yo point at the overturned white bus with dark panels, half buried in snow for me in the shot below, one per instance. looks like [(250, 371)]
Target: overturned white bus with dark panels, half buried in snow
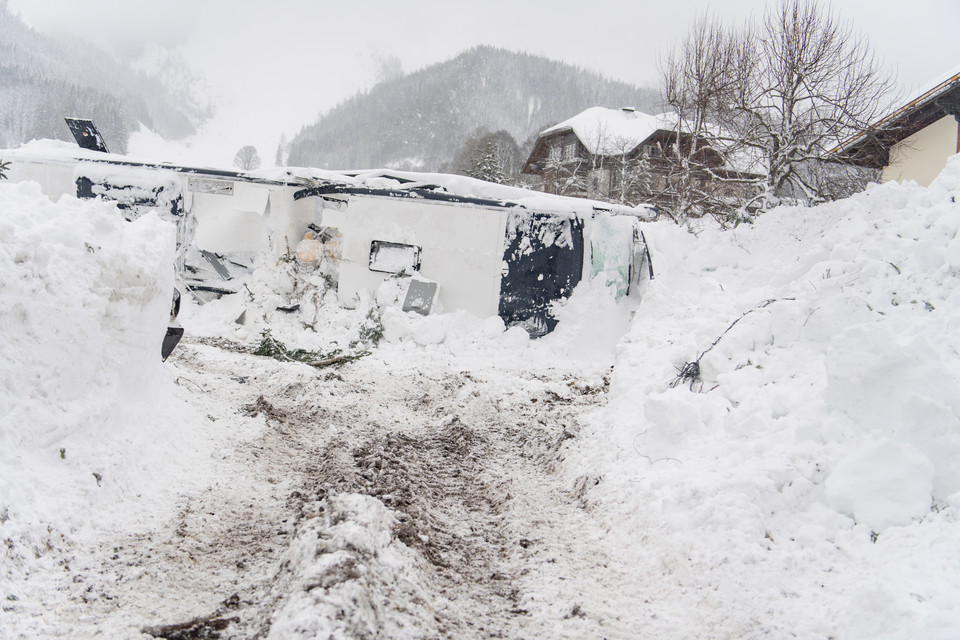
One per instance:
[(456, 243)]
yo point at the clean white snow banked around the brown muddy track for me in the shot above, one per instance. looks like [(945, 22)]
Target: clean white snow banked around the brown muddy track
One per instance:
[(805, 485)]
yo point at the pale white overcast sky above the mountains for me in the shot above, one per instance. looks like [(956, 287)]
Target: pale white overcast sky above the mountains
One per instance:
[(292, 59)]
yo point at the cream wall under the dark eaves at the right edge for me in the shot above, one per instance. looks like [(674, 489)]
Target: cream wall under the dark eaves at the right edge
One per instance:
[(922, 156)]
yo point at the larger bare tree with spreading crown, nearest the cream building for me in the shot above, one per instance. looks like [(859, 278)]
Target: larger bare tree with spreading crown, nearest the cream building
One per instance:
[(815, 83)]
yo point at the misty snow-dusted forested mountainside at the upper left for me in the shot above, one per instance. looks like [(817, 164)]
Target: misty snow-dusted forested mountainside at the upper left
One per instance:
[(42, 80)]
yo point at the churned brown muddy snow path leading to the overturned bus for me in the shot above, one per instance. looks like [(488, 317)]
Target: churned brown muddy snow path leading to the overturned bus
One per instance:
[(390, 498)]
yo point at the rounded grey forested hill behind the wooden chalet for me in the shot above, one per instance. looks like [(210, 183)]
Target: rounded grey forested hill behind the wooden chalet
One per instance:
[(422, 120)]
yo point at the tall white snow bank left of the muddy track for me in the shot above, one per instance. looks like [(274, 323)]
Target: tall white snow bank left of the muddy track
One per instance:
[(88, 427)]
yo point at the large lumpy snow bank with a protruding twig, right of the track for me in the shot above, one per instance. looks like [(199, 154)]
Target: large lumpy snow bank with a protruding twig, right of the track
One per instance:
[(807, 482)]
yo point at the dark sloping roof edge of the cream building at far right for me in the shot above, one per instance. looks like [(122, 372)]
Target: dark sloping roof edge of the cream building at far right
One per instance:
[(938, 98)]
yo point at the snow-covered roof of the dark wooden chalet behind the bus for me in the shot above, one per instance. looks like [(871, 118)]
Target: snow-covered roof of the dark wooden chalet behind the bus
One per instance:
[(614, 131)]
